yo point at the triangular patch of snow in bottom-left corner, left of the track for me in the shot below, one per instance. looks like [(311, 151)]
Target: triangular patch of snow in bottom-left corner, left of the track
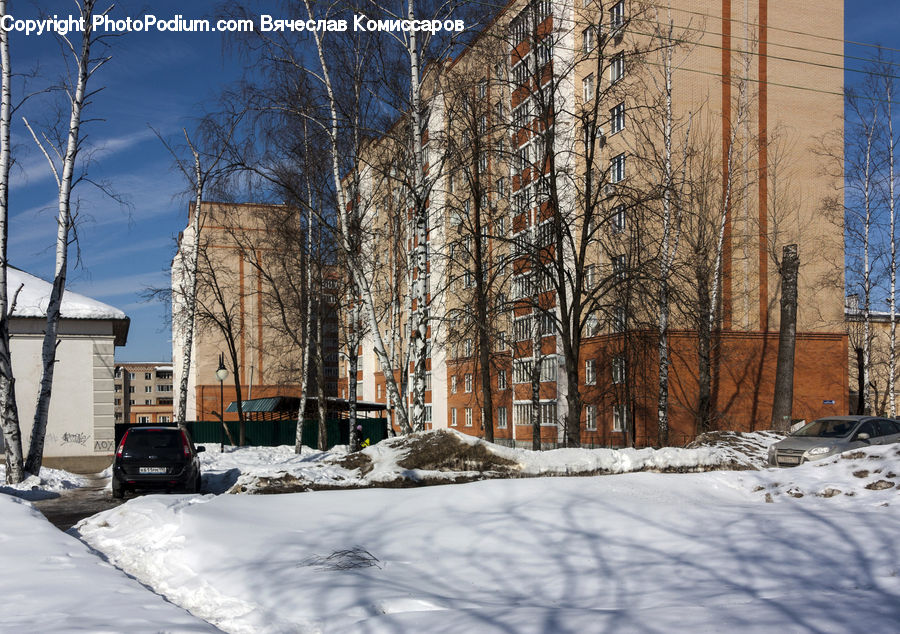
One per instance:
[(52, 583)]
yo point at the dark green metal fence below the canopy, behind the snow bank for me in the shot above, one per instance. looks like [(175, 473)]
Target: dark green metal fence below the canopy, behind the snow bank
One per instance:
[(284, 432)]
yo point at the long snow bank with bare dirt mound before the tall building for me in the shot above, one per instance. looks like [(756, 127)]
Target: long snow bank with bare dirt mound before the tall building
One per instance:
[(447, 456)]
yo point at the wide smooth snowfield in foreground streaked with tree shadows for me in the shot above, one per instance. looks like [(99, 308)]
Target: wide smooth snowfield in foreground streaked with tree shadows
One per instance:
[(637, 552)]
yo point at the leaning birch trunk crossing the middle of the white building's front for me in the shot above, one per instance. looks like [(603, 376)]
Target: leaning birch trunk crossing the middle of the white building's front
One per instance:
[(64, 223)]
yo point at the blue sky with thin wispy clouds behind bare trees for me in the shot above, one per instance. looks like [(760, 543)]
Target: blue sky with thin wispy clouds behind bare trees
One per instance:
[(163, 80)]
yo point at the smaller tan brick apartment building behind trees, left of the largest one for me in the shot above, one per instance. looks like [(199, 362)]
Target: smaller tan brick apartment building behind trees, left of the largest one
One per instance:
[(235, 288)]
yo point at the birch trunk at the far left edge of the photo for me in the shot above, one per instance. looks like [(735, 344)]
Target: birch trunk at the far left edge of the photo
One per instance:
[(9, 413)]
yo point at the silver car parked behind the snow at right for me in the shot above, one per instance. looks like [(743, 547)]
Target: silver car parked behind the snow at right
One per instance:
[(828, 436)]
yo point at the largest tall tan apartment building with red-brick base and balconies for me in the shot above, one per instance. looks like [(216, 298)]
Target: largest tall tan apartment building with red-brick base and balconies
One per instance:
[(751, 76)]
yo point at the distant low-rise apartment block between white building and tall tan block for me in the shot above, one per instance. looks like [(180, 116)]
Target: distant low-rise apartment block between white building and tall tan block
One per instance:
[(143, 392)]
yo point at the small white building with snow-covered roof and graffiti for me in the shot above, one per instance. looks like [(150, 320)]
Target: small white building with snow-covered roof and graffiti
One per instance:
[(80, 430)]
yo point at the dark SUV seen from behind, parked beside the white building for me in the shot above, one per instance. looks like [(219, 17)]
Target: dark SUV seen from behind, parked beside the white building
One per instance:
[(156, 457)]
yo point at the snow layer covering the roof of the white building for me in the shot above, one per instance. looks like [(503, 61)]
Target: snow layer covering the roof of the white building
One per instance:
[(35, 295)]
